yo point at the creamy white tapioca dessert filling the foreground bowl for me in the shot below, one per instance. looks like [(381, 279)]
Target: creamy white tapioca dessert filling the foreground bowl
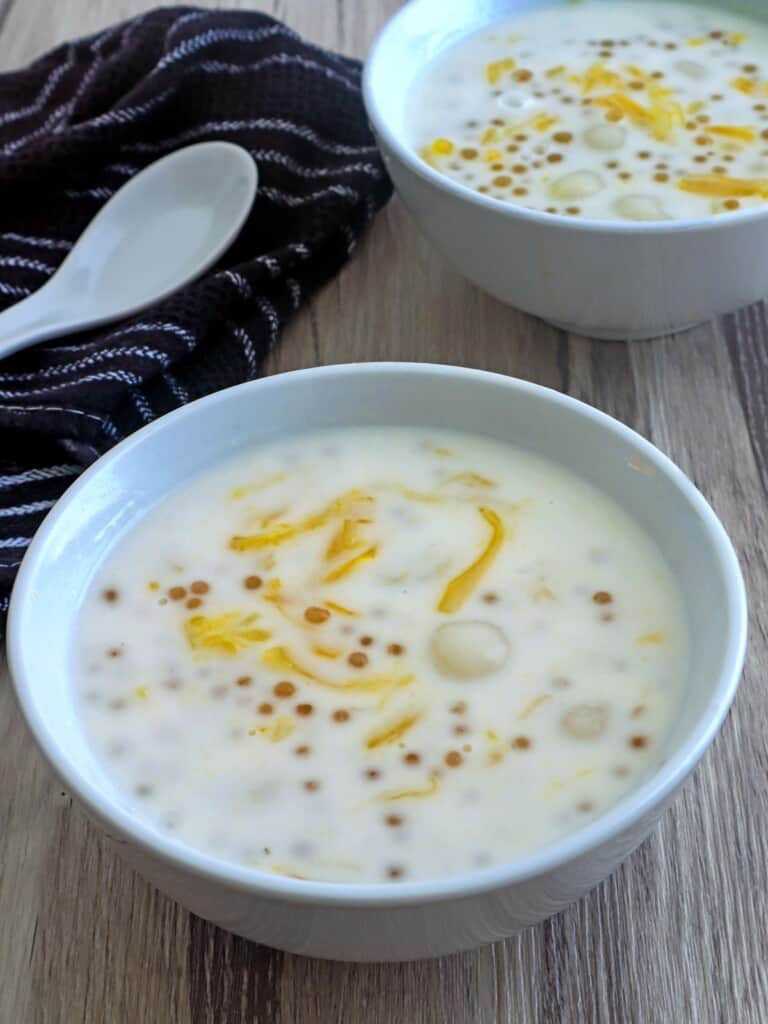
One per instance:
[(378, 655)]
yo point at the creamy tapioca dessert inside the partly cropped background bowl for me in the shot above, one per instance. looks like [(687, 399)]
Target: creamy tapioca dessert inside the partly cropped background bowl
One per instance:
[(610, 111)]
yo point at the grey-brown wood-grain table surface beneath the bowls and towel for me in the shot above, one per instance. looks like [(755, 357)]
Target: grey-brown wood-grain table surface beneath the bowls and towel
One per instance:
[(678, 935)]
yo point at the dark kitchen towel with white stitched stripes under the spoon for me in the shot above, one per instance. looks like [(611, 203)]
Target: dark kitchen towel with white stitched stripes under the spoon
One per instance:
[(77, 124)]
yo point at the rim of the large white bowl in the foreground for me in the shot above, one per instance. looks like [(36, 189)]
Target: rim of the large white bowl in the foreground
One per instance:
[(650, 796)]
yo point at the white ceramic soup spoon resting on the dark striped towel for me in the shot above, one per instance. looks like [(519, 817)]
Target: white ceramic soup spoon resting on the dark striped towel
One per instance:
[(162, 230)]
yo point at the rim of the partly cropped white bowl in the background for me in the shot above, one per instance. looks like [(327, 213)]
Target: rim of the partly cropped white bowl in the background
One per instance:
[(408, 156)]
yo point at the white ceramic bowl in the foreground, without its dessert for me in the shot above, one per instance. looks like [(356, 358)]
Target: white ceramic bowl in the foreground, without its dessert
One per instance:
[(373, 922)]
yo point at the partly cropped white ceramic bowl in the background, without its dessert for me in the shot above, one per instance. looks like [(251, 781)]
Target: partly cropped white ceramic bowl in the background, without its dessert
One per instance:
[(604, 279)]
